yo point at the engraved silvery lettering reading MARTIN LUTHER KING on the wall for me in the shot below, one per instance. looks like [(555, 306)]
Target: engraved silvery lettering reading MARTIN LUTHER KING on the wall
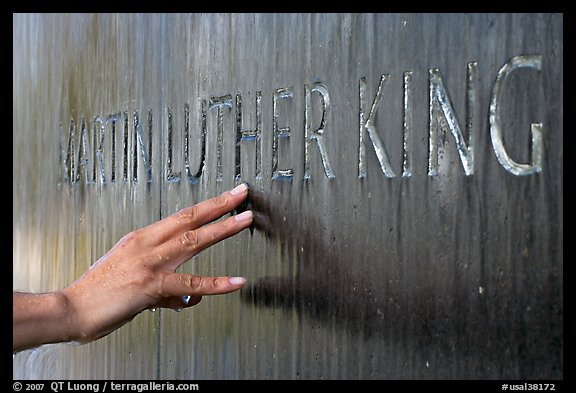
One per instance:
[(96, 153)]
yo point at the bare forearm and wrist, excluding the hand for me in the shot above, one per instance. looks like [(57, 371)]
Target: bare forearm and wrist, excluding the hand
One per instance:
[(41, 319)]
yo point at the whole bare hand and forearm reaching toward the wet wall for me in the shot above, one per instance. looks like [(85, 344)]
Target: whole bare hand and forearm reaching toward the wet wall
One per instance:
[(138, 273)]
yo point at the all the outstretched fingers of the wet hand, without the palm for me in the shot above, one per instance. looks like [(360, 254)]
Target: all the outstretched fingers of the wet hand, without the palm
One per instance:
[(184, 234)]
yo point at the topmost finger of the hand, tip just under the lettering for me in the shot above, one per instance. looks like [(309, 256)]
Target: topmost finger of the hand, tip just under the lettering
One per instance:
[(195, 216)]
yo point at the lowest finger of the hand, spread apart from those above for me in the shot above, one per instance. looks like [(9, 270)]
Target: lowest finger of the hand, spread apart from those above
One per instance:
[(178, 284)]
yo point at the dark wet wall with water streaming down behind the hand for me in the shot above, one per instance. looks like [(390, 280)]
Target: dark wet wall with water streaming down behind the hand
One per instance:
[(376, 254)]
